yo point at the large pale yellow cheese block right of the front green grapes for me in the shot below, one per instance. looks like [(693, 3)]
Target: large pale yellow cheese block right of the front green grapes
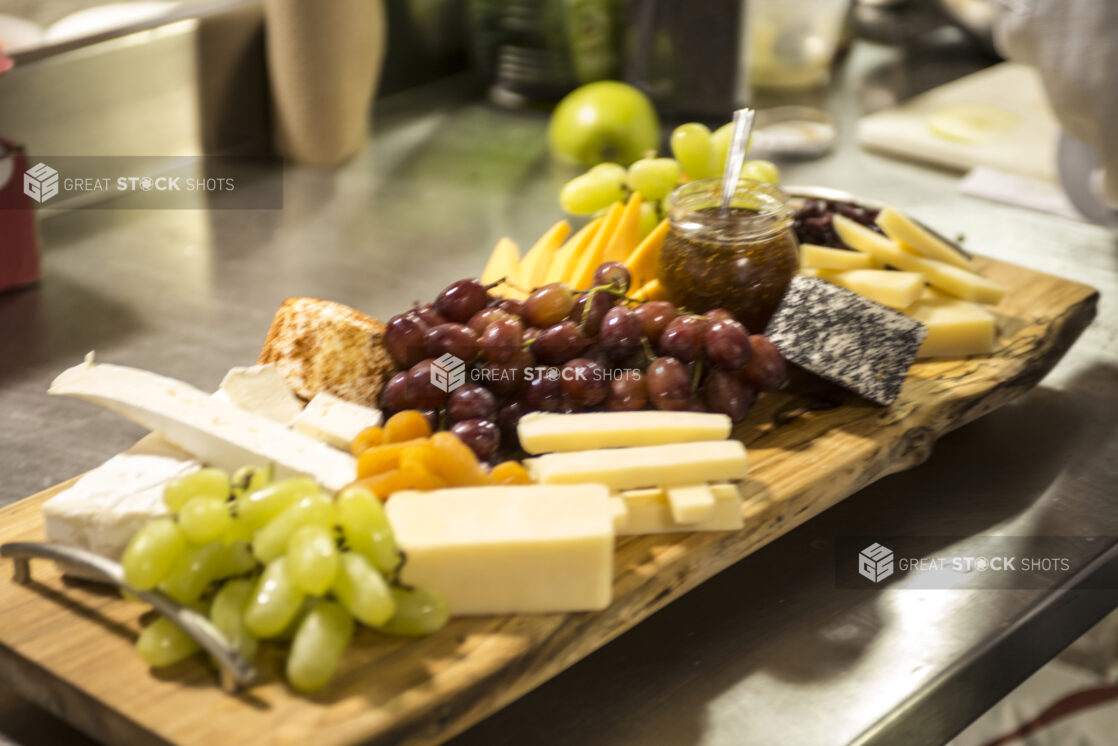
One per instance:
[(509, 550)]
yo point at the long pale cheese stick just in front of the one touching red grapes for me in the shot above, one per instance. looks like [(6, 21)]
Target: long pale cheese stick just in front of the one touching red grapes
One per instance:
[(651, 466)]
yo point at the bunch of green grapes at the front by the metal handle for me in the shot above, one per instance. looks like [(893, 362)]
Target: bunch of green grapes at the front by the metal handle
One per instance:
[(276, 561)]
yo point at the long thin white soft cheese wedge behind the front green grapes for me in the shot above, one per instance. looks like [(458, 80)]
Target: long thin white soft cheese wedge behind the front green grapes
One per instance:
[(215, 432)]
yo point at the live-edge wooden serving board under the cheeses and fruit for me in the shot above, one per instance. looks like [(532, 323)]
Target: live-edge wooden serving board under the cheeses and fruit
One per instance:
[(70, 647)]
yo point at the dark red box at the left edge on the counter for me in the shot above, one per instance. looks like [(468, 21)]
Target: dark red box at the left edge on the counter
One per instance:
[(20, 254)]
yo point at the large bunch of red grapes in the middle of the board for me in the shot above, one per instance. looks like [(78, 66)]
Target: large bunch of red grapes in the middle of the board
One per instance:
[(565, 351)]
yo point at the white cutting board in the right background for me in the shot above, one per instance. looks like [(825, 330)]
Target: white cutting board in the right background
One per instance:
[(1028, 149)]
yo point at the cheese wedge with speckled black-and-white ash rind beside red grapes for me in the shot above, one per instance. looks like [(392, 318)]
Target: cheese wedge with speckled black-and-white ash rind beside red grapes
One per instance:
[(847, 339)]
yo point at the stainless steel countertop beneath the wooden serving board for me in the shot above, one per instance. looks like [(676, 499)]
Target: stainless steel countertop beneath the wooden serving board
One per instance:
[(768, 653)]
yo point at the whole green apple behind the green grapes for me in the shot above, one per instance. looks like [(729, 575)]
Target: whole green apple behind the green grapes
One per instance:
[(604, 121)]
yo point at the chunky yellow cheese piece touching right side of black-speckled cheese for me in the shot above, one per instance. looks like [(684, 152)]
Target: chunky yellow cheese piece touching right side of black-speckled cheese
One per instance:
[(955, 328)]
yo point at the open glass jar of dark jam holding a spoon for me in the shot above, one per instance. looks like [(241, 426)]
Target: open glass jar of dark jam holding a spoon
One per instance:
[(742, 261)]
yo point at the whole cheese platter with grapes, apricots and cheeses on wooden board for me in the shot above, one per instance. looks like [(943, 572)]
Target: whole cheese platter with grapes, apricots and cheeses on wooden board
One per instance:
[(536, 518)]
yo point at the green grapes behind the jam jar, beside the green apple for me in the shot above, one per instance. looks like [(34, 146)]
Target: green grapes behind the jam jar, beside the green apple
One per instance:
[(699, 154)]
